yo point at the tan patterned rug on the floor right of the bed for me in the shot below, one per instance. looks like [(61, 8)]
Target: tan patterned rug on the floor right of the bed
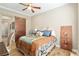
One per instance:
[(58, 52)]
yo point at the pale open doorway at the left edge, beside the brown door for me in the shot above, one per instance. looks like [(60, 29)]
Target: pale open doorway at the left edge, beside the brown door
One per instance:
[(5, 29)]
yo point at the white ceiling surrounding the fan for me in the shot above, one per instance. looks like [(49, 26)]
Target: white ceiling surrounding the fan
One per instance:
[(16, 7)]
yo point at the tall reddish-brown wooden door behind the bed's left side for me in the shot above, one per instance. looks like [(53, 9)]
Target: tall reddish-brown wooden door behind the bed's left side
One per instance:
[(20, 28)]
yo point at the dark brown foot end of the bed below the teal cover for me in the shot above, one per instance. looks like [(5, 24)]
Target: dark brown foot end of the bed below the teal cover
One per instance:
[(24, 47)]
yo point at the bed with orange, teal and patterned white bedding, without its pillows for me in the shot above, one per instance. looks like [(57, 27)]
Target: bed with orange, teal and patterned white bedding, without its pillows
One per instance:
[(36, 45)]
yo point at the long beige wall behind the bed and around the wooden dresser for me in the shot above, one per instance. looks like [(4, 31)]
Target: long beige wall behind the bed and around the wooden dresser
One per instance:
[(61, 16)]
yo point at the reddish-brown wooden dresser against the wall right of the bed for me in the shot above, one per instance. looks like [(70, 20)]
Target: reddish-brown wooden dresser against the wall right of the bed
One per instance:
[(66, 37)]
